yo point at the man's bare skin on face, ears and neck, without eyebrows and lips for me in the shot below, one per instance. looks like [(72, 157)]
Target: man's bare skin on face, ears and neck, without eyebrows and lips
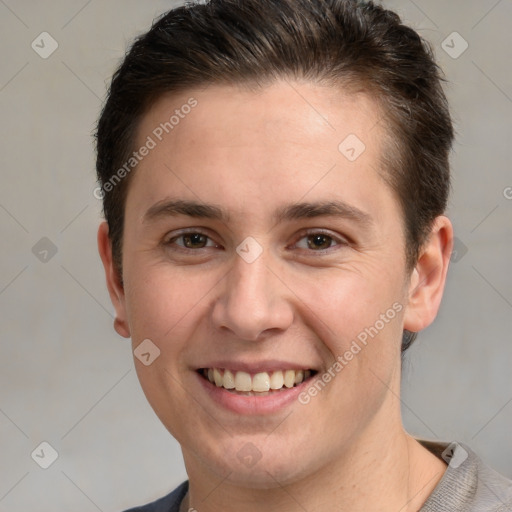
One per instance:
[(251, 152)]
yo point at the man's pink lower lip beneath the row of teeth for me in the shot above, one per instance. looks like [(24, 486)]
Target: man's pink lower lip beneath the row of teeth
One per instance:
[(253, 405)]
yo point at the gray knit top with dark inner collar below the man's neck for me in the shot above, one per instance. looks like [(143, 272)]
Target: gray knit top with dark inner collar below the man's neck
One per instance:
[(468, 485)]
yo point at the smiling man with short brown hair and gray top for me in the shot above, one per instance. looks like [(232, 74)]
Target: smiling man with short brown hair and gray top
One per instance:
[(274, 177)]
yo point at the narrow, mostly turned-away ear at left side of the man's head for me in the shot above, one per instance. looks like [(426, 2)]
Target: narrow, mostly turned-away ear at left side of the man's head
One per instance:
[(114, 285)]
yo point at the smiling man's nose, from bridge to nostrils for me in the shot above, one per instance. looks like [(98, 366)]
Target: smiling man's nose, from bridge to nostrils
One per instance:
[(254, 301)]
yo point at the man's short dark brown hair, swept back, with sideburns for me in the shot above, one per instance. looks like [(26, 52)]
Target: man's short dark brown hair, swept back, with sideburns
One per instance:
[(345, 43)]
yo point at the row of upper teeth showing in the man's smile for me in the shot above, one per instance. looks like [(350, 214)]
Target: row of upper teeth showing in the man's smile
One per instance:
[(263, 381)]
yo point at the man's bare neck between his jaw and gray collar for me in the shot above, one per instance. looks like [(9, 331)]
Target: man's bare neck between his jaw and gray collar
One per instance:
[(377, 472)]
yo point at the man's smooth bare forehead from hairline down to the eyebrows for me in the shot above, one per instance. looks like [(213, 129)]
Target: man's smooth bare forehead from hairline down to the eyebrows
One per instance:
[(242, 146)]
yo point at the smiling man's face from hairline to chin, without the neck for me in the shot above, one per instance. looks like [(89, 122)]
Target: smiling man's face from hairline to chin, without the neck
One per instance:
[(260, 253)]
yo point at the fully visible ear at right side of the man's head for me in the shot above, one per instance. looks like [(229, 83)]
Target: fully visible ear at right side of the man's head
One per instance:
[(429, 276)]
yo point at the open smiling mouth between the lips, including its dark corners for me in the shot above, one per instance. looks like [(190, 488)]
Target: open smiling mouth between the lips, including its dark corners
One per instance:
[(259, 384)]
